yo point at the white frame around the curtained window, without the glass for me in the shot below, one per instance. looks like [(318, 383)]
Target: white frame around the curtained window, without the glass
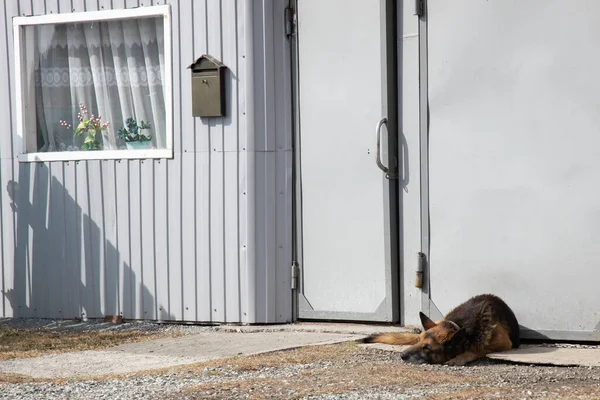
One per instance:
[(106, 15)]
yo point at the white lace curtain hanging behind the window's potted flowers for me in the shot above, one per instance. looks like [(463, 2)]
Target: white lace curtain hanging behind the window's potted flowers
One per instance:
[(115, 68)]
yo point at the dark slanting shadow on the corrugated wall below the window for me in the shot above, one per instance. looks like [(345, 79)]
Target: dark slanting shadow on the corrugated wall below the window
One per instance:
[(63, 266)]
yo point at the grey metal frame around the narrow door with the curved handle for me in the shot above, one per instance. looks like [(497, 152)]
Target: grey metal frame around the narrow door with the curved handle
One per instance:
[(390, 308)]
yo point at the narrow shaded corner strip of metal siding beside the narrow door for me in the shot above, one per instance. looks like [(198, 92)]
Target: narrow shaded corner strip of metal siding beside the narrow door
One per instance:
[(273, 162)]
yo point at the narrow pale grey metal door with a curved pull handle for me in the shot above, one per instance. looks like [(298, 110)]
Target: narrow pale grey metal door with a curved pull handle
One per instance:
[(346, 266)]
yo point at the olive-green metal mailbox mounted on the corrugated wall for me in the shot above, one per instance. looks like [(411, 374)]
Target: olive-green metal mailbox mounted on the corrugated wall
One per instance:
[(208, 87)]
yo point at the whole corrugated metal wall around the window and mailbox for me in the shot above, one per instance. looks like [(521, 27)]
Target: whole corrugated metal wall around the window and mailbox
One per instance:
[(212, 243)]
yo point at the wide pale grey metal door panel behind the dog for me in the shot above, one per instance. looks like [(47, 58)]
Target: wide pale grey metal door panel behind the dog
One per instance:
[(514, 157)]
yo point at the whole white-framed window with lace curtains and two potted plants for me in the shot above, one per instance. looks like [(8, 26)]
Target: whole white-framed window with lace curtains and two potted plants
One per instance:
[(94, 85)]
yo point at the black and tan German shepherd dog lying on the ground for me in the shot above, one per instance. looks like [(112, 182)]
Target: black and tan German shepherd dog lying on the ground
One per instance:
[(481, 325)]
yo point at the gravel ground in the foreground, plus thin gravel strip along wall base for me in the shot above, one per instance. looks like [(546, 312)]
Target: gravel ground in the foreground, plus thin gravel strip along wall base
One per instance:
[(343, 371)]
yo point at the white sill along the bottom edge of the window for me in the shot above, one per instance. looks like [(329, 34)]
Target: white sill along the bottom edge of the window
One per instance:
[(96, 155)]
